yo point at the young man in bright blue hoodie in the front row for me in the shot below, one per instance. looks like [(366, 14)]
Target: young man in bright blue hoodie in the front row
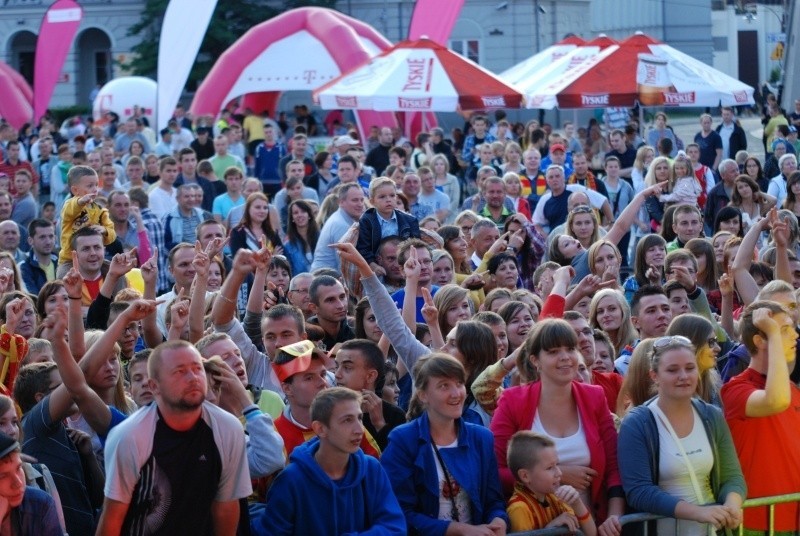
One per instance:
[(330, 486)]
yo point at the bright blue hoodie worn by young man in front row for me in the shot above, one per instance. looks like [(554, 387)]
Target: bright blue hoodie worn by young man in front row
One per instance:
[(304, 500)]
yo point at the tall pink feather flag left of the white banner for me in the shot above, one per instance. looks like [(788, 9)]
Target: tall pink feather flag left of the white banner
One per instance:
[(58, 29)]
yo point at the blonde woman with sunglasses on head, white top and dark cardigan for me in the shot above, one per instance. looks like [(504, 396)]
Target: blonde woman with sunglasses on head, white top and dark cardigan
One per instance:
[(676, 452)]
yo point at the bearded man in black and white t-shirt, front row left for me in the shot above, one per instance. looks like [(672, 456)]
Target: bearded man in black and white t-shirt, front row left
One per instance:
[(178, 465)]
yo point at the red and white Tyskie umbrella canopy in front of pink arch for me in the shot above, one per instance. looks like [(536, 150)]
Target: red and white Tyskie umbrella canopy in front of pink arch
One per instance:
[(418, 75)]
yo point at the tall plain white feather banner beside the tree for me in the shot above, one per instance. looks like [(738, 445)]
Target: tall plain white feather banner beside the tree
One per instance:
[(185, 25)]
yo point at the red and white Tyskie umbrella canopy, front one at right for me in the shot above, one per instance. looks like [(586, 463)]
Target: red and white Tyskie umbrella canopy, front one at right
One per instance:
[(639, 70)]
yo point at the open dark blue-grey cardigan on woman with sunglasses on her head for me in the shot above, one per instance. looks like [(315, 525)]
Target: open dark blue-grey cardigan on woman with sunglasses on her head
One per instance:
[(638, 456)]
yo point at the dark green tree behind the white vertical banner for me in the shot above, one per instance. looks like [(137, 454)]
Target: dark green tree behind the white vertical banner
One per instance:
[(231, 20)]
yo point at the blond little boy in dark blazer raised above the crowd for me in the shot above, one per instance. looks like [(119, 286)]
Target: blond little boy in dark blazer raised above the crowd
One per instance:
[(383, 220)]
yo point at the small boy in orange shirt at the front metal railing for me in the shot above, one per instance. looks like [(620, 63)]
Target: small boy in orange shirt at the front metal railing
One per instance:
[(539, 500)]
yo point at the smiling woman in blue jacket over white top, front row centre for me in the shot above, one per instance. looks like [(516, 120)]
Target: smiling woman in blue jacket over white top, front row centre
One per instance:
[(443, 470)]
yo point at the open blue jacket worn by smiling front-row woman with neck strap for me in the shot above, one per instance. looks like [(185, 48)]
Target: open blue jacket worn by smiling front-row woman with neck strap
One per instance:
[(410, 464)]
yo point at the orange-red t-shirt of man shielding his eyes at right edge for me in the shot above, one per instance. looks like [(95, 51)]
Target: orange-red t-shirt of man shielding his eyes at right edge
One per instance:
[(767, 448)]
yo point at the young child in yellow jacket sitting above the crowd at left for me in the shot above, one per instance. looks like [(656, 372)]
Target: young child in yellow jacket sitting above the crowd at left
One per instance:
[(80, 211)]
